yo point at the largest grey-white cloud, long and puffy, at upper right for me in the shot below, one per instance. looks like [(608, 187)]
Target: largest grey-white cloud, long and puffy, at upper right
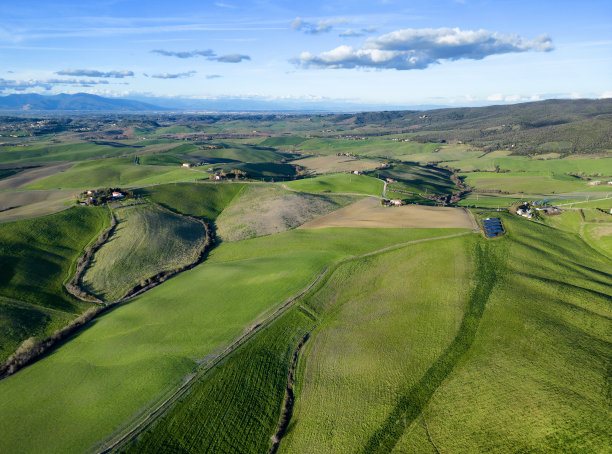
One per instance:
[(418, 49)]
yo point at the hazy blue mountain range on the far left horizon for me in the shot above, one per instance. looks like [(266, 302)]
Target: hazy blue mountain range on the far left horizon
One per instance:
[(81, 102)]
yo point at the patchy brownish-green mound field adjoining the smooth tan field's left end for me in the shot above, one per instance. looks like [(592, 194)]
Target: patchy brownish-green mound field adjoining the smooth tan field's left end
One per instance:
[(264, 209)]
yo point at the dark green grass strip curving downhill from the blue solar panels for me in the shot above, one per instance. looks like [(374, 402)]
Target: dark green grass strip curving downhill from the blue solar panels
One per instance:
[(414, 400)]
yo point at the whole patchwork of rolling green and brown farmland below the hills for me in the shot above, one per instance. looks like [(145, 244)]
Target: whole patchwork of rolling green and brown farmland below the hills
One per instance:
[(309, 284)]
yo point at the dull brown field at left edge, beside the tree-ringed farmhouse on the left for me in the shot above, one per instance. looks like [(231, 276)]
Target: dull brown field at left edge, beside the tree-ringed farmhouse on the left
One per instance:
[(18, 205)]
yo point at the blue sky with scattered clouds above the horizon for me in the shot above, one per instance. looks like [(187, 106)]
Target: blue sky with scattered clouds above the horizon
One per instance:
[(384, 52)]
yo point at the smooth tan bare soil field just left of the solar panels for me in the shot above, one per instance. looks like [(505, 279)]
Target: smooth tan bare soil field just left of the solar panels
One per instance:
[(370, 213)]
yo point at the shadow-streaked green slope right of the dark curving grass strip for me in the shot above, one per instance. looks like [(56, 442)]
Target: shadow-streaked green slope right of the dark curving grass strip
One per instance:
[(538, 368)]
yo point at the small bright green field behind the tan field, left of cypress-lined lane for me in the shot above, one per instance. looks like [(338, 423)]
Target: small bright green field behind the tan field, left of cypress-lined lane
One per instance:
[(339, 182)]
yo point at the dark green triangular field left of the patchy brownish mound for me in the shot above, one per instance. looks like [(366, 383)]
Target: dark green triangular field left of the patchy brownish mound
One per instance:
[(205, 201)]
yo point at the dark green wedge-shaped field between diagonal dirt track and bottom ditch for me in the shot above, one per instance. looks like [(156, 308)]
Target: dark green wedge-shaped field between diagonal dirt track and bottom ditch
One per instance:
[(236, 407)]
